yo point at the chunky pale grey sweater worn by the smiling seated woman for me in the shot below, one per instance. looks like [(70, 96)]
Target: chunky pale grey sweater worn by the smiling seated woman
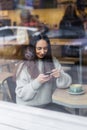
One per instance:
[(32, 93)]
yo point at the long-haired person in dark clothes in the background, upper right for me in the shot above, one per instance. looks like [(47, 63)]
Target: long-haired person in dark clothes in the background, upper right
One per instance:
[(71, 26)]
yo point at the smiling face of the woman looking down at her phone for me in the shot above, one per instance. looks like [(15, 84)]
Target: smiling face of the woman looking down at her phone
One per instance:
[(41, 48)]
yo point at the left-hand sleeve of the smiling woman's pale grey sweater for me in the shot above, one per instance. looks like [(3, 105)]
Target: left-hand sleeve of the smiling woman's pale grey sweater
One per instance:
[(26, 87)]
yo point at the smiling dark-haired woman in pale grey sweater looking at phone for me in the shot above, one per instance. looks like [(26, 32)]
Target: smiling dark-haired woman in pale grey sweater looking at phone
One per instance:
[(34, 85)]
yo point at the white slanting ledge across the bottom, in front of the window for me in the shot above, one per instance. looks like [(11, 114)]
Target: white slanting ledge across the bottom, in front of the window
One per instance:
[(17, 117)]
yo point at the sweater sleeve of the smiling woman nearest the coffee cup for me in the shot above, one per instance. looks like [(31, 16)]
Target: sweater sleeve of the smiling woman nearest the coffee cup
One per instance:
[(64, 80)]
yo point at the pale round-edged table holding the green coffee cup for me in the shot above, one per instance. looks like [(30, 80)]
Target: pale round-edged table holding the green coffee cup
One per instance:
[(77, 102)]
